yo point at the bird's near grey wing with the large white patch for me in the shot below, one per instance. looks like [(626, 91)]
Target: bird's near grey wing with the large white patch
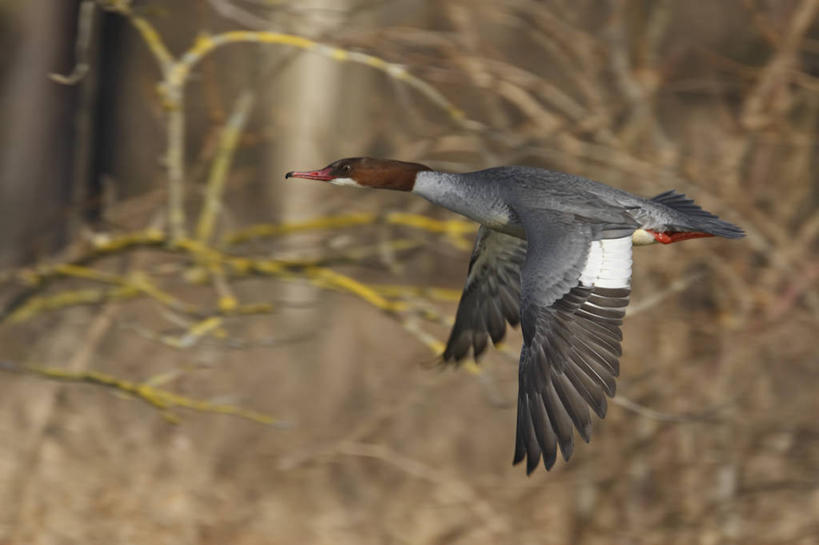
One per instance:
[(575, 287)]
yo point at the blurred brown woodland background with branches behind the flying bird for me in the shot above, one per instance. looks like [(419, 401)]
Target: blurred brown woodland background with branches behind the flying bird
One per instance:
[(715, 438)]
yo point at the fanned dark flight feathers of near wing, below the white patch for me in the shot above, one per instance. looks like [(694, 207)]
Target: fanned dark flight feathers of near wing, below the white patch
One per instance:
[(568, 365)]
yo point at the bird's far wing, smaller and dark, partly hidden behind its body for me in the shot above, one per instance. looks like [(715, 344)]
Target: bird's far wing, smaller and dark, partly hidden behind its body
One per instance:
[(491, 296)]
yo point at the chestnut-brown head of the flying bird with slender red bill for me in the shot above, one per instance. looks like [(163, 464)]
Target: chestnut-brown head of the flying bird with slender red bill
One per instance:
[(366, 172)]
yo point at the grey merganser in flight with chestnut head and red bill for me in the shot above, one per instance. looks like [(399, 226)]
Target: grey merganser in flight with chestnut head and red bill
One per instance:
[(553, 252)]
